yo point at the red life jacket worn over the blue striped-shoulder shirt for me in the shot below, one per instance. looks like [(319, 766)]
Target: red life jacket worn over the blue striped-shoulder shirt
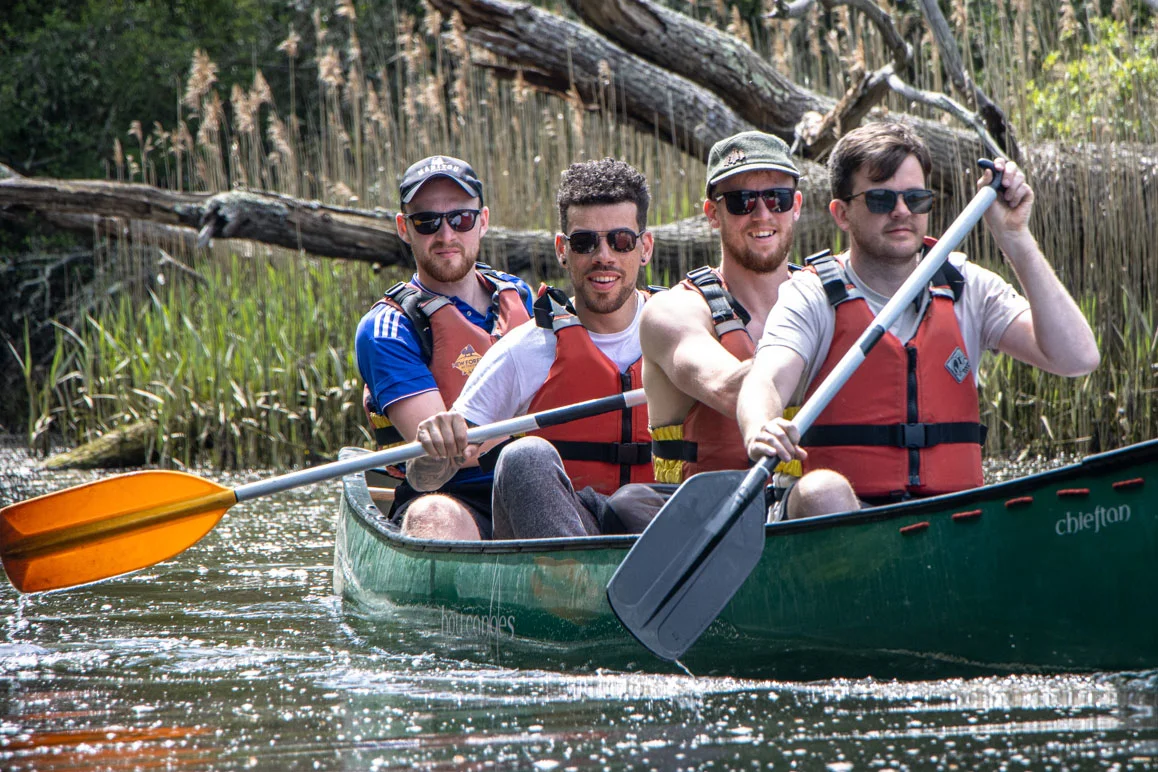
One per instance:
[(450, 343)]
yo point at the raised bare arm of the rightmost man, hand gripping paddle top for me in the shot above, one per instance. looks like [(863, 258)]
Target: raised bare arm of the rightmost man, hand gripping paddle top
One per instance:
[(1053, 335)]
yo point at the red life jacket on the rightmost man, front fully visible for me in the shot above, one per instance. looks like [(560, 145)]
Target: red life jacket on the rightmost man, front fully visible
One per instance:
[(907, 424)]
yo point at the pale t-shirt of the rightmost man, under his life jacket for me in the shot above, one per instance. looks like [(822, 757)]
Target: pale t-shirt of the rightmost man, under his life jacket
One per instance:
[(803, 320)]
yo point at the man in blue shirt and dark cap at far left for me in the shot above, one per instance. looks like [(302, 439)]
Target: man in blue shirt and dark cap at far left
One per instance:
[(419, 344)]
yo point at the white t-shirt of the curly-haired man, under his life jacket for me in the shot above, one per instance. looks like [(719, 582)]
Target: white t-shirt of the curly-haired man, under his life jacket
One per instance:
[(514, 371)]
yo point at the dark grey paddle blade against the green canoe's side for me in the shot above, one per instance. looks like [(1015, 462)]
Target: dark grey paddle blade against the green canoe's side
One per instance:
[(690, 563)]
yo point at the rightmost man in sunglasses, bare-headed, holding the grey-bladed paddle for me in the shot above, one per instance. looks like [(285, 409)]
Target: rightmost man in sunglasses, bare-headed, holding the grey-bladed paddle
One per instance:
[(907, 424)]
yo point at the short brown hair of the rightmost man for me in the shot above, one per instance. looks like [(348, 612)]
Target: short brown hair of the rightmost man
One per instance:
[(882, 149)]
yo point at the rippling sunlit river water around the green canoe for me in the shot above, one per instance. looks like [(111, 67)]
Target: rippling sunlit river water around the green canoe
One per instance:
[(237, 656)]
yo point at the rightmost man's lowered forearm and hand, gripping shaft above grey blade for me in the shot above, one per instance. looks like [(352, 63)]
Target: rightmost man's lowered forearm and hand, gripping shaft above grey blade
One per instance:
[(775, 373)]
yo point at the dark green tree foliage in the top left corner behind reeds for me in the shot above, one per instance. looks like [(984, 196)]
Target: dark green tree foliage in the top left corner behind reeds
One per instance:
[(78, 72)]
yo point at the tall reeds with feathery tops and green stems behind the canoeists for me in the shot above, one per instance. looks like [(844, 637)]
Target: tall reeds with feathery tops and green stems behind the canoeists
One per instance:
[(254, 364)]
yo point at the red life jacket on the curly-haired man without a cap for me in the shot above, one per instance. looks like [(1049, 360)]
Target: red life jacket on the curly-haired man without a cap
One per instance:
[(605, 452)]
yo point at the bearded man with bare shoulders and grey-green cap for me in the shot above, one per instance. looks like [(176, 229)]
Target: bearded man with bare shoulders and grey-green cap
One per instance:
[(698, 339)]
